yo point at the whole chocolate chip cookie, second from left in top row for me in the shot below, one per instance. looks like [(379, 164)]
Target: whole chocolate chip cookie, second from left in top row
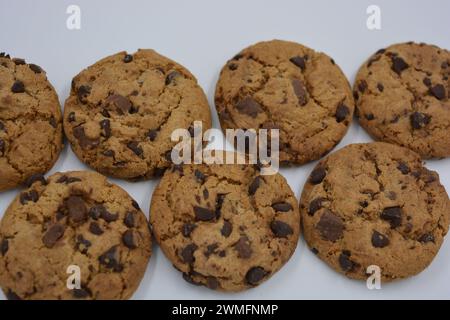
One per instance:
[(122, 111)]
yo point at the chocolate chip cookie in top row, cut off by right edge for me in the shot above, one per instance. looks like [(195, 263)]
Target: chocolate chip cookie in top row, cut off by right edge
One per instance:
[(402, 97)]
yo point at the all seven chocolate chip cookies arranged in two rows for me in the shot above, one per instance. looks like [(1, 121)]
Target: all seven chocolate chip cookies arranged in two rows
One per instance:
[(225, 227)]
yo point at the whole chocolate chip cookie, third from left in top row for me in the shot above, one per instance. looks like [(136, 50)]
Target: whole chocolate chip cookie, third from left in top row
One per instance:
[(284, 85)]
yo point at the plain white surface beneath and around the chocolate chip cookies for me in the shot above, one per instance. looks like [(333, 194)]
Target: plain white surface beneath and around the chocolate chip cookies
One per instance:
[(202, 35)]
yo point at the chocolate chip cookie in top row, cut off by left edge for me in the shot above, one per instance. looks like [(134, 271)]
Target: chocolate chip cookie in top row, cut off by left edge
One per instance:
[(30, 122)]
